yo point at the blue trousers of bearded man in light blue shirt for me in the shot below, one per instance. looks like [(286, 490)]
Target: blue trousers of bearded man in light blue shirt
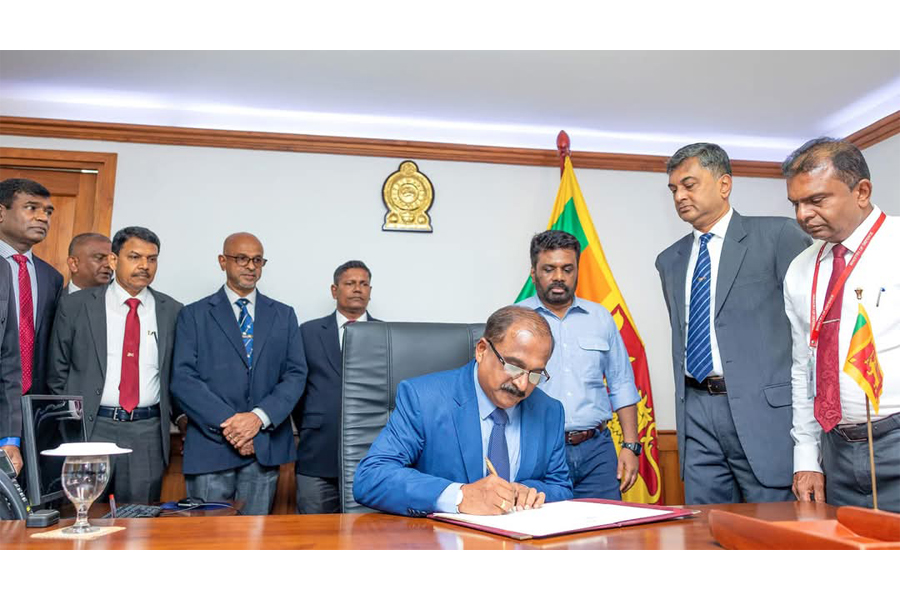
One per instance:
[(592, 467)]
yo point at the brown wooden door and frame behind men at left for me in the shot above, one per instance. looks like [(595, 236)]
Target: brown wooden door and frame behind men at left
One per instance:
[(81, 185)]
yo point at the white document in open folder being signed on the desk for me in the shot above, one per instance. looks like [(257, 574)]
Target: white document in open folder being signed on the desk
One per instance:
[(558, 517)]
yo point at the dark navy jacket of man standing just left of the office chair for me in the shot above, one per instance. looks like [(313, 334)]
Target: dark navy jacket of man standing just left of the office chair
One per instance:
[(318, 414)]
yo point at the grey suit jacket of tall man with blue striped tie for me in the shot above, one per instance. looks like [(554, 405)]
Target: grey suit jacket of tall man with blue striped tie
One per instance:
[(753, 334)]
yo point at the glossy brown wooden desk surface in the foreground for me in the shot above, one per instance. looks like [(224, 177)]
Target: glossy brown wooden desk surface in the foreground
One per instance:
[(383, 532)]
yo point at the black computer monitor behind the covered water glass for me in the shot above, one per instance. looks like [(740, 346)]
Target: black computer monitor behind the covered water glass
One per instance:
[(47, 422)]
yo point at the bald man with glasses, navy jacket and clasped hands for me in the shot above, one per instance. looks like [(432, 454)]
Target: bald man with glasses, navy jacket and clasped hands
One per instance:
[(239, 369)]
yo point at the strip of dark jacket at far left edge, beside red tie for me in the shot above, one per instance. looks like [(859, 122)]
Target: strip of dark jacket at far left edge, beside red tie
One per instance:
[(10, 359)]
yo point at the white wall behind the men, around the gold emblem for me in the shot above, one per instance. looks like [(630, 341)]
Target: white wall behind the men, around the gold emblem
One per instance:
[(313, 212)]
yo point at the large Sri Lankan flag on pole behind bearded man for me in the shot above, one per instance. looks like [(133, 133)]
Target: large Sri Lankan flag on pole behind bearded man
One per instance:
[(596, 283)]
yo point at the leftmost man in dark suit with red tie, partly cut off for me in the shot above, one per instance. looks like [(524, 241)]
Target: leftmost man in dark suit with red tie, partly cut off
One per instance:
[(25, 211)]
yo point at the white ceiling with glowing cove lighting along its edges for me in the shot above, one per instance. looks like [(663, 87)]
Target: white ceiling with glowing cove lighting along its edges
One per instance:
[(757, 104)]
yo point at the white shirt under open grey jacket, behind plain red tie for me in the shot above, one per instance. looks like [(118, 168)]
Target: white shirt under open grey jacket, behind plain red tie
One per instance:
[(148, 361)]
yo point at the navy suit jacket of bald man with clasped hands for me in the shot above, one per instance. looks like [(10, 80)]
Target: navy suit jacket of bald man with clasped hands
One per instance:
[(213, 380)]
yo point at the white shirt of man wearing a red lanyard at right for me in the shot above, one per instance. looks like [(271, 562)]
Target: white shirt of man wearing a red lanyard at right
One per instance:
[(878, 275)]
